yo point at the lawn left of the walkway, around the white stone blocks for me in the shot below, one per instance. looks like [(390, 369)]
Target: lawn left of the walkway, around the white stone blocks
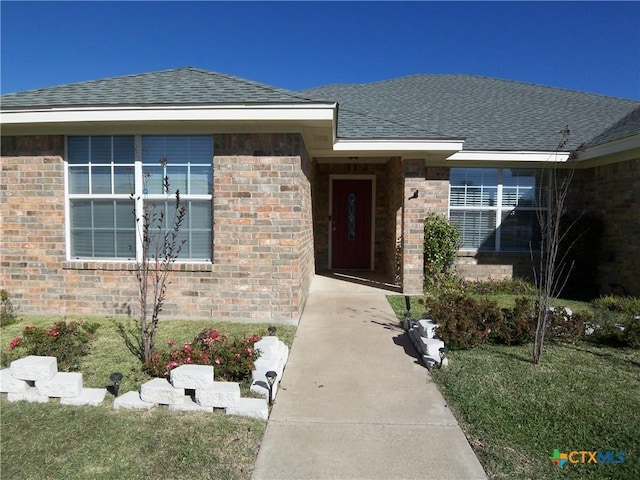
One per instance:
[(59, 442)]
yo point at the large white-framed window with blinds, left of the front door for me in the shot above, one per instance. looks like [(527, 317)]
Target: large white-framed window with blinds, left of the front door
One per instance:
[(108, 177)]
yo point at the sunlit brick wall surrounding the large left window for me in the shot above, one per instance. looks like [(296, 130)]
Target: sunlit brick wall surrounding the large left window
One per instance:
[(263, 240)]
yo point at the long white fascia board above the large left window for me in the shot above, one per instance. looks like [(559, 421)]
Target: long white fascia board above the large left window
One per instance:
[(262, 113)]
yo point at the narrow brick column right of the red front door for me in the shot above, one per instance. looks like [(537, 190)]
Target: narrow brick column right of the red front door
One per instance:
[(414, 212)]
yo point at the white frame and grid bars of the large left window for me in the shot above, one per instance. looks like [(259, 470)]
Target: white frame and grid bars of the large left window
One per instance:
[(136, 199)]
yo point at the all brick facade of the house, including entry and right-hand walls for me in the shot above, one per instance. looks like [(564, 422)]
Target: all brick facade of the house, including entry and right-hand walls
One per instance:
[(271, 231)]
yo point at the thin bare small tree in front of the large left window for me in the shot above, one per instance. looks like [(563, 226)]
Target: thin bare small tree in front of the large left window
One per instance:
[(161, 246)]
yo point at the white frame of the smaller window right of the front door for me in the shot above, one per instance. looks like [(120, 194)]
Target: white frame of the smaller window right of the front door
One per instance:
[(499, 209)]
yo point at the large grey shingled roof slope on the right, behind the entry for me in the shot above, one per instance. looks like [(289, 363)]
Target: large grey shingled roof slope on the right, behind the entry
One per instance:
[(492, 114)]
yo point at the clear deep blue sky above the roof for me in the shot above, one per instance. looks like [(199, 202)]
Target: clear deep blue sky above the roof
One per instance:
[(586, 46)]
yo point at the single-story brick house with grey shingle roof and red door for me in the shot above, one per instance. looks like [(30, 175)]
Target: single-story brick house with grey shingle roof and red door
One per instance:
[(280, 185)]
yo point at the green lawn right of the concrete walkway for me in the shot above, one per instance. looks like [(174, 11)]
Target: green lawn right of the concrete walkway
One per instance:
[(580, 397)]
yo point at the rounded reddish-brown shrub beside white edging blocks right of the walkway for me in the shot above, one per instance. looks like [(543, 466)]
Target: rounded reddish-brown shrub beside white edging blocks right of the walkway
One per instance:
[(464, 321)]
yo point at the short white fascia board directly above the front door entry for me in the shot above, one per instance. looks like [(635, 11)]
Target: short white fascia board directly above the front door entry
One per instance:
[(374, 145)]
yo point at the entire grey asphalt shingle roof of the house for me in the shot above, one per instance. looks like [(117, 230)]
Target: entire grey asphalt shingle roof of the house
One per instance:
[(489, 113)]
